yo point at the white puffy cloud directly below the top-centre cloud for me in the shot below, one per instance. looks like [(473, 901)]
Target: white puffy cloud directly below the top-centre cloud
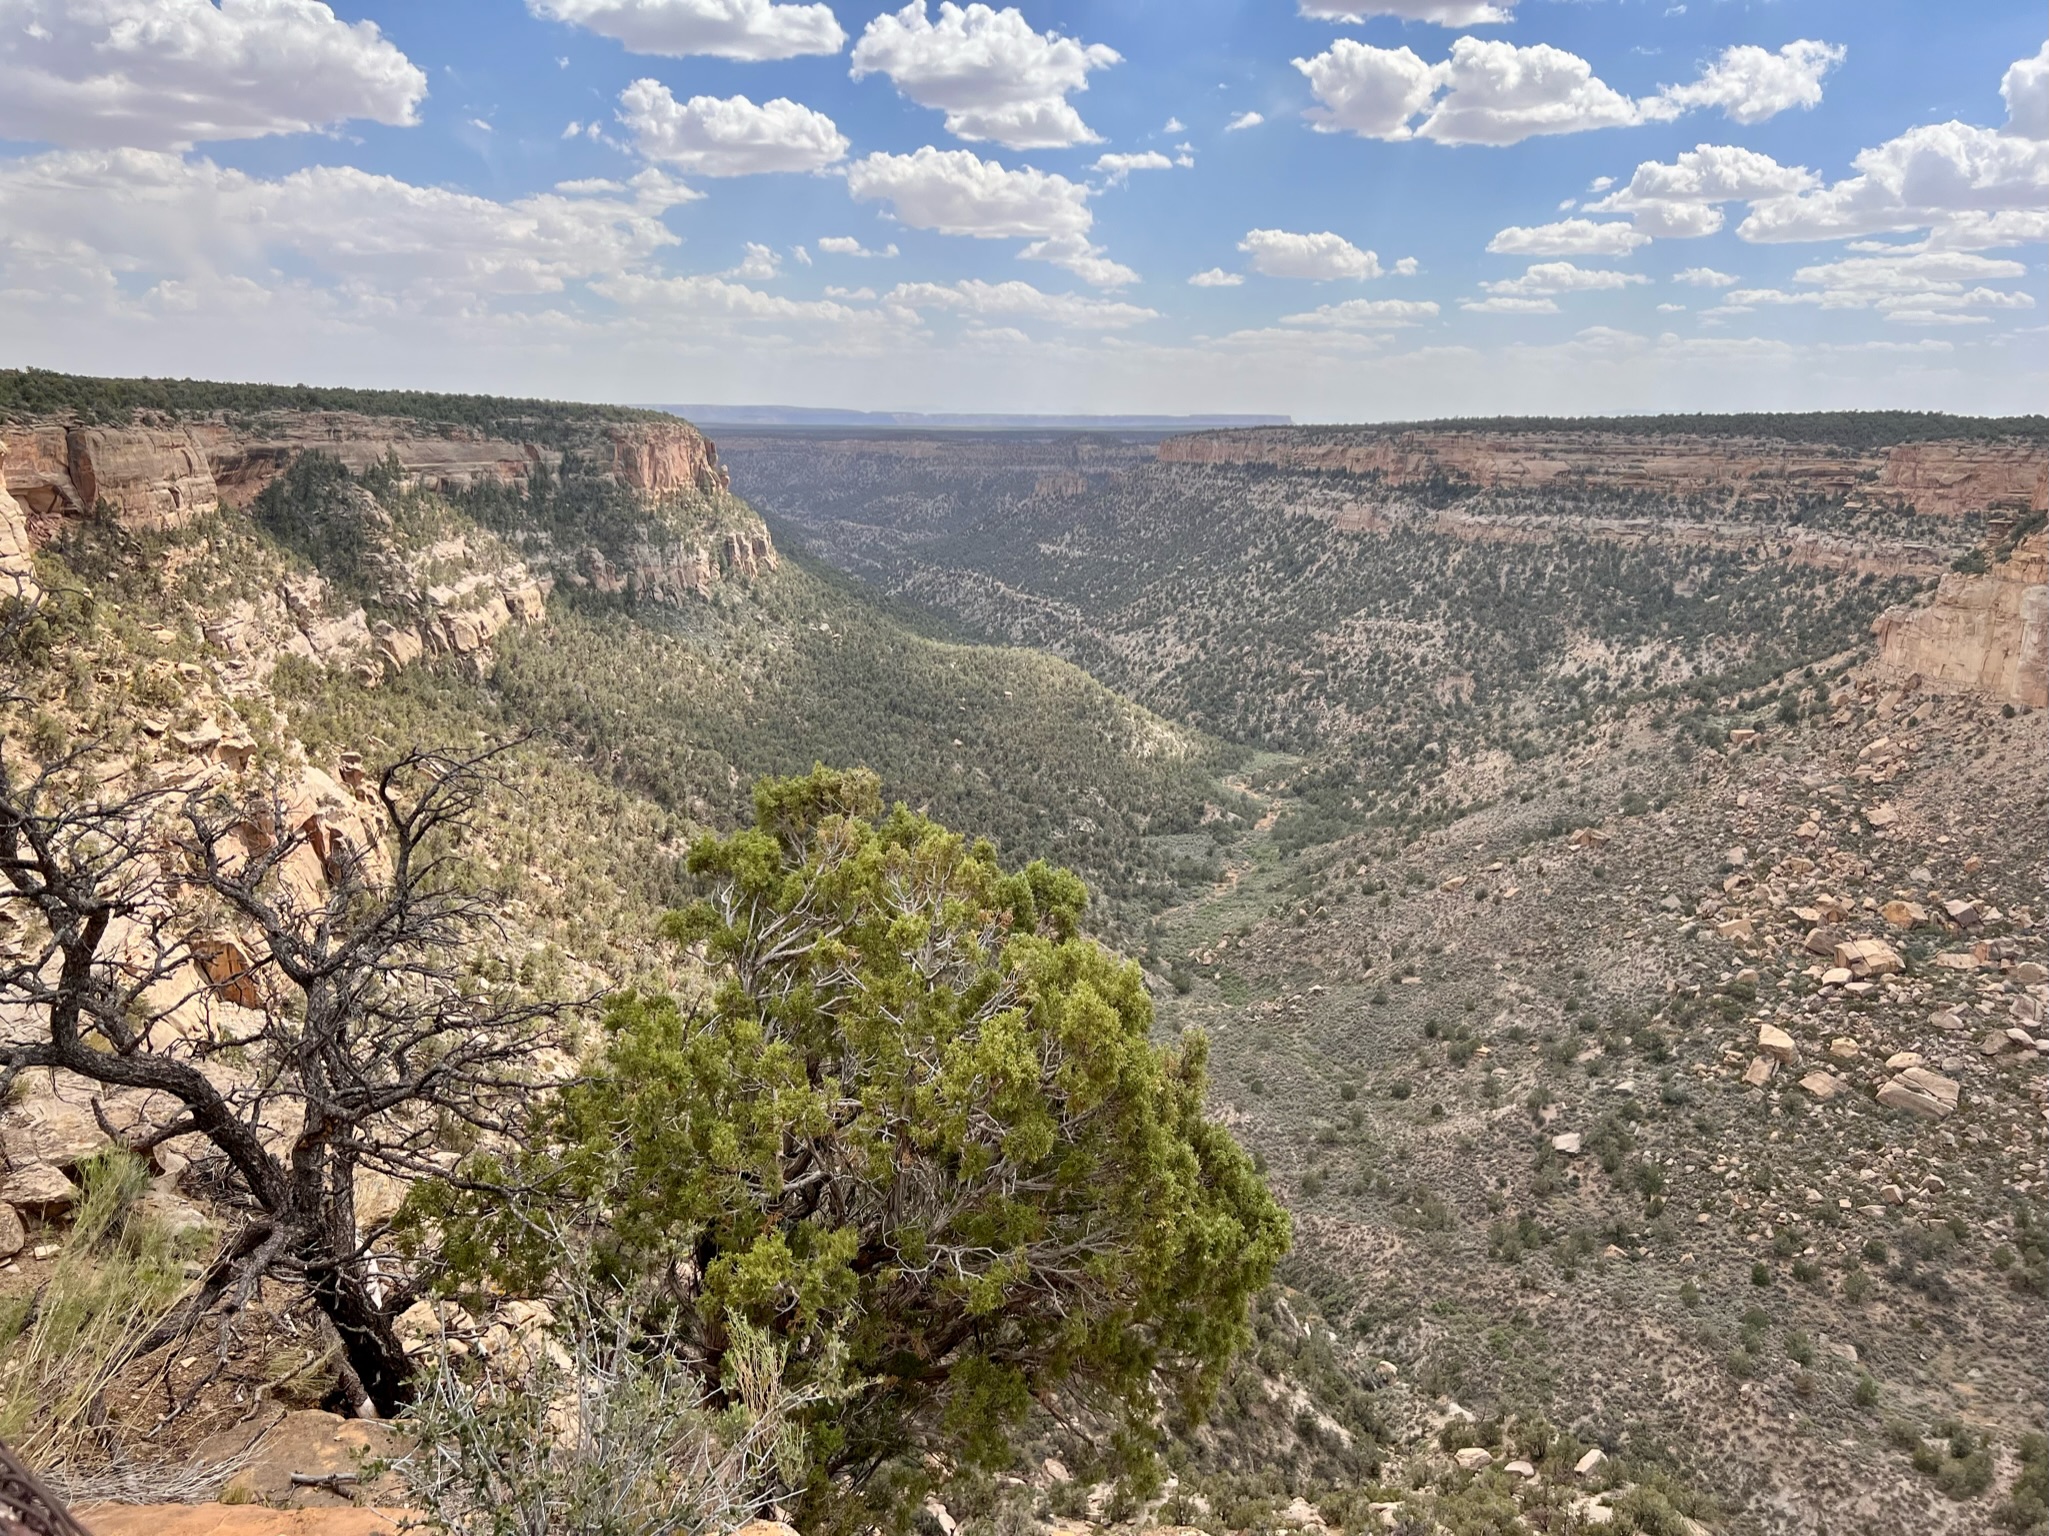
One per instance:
[(958, 194)]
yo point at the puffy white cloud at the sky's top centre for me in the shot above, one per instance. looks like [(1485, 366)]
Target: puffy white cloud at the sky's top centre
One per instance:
[(987, 71)]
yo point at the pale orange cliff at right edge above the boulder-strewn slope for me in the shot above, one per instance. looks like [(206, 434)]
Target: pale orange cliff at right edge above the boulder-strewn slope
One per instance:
[(1987, 634)]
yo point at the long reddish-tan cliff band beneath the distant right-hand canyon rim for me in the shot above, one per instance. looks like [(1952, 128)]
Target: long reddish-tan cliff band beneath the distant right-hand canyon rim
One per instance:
[(1935, 478)]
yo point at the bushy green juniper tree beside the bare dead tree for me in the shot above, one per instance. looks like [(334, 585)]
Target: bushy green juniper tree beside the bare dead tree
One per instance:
[(919, 1136)]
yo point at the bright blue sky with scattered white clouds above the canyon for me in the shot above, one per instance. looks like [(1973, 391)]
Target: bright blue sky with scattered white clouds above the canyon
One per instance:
[(1341, 210)]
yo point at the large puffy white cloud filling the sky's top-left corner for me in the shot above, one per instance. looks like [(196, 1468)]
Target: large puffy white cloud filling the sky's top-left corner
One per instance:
[(165, 75)]
